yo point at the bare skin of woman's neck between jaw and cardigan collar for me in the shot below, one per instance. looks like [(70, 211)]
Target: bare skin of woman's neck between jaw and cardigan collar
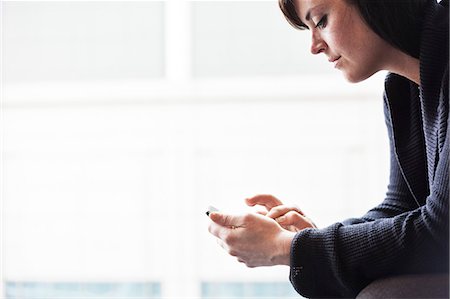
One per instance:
[(404, 65)]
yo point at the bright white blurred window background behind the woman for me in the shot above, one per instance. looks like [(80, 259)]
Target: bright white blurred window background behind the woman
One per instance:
[(123, 120)]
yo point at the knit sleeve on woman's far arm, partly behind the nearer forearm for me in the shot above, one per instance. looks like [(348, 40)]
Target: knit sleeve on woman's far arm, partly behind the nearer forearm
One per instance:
[(398, 197)]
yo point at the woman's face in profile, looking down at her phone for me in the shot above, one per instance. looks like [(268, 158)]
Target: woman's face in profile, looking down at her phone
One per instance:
[(340, 33)]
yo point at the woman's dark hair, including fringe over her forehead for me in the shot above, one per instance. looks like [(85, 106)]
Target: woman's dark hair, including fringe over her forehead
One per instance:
[(398, 22)]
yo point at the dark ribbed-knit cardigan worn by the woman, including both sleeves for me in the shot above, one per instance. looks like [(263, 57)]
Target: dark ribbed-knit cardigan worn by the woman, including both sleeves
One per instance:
[(408, 232)]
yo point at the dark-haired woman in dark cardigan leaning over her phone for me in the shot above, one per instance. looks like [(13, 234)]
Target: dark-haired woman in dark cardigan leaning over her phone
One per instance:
[(408, 232)]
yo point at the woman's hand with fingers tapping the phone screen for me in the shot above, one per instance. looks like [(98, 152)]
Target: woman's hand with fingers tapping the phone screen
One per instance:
[(289, 217)]
